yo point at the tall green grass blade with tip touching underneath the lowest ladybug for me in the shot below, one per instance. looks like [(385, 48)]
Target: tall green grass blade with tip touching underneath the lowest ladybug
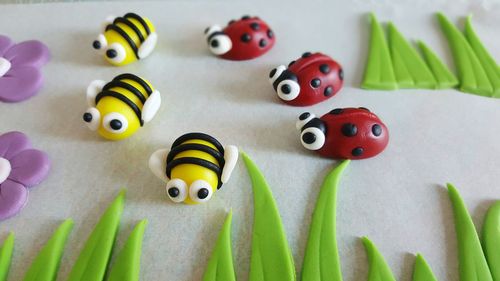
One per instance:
[(321, 259)]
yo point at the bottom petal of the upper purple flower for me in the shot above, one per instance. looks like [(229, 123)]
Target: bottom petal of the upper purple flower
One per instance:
[(20, 83)]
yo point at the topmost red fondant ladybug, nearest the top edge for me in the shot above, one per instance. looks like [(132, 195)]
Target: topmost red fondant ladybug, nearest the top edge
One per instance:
[(244, 39)]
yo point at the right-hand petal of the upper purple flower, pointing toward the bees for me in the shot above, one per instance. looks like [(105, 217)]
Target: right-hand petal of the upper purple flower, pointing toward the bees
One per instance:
[(28, 53)]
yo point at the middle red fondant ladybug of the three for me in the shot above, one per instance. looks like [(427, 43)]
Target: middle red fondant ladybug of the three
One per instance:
[(308, 80)]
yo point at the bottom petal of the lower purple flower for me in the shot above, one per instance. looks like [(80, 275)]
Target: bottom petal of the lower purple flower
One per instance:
[(13, 197)]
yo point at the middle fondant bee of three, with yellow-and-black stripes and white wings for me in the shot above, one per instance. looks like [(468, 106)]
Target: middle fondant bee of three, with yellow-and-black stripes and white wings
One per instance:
[(120, 107)]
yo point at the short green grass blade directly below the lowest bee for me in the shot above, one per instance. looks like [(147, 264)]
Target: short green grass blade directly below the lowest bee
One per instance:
[(220, 266)]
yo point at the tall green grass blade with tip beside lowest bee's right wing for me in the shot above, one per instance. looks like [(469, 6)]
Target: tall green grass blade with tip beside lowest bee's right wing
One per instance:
[(271, 258)]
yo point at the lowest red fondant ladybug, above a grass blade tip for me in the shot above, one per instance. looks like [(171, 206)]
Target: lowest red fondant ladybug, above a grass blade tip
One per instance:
[(344, 133)]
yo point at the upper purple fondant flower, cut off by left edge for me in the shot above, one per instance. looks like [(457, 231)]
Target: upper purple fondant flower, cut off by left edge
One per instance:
[(20, 75)]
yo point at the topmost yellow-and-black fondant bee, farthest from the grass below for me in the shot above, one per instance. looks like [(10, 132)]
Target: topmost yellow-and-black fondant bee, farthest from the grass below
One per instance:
[(126, 39)]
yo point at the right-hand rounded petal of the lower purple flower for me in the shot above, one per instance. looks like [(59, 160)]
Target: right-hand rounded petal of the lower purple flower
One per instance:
[(29, 167)]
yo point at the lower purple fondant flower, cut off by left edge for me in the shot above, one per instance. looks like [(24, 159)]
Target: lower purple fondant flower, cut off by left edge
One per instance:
[(21, 167)]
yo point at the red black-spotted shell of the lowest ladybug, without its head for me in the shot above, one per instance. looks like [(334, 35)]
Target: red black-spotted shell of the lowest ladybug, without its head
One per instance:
[(353, 133)]
